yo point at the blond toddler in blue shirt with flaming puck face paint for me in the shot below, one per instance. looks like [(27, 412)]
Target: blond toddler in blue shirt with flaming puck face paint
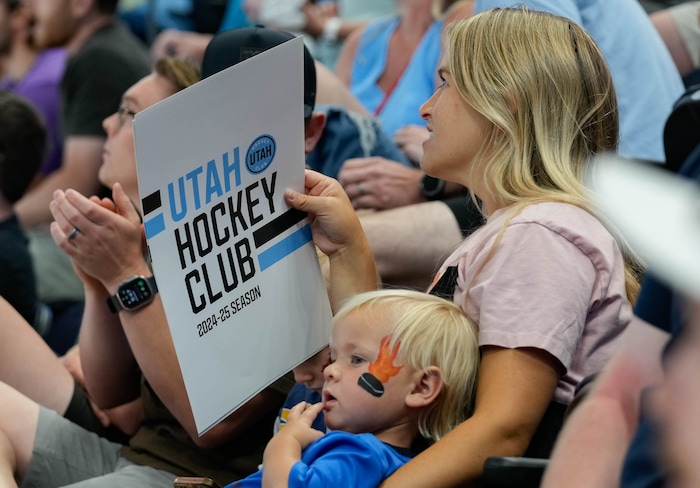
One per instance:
[(404, 363)]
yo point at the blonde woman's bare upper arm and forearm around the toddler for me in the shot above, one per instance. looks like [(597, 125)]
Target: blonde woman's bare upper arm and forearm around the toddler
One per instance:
[(514, 389)]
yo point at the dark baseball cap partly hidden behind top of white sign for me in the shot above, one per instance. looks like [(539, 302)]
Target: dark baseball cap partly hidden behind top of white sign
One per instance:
[(229, 48)]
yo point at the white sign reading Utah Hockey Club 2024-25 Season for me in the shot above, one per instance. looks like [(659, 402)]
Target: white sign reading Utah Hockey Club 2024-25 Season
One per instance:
[(235, 266)]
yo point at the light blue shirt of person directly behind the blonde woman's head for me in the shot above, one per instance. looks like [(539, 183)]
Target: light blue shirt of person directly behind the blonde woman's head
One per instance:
[(646, 80)]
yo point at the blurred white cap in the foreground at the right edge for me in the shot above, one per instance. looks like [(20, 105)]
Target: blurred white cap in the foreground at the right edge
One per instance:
[(657, 212)]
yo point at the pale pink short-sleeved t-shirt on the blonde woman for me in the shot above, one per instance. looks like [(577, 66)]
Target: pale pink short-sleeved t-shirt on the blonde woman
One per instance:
[(554, 282)]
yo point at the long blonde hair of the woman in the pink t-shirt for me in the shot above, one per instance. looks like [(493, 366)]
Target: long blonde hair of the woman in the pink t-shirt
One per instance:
[(544, 86)]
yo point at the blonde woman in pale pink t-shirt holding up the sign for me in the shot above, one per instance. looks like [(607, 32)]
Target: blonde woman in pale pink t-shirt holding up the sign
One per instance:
[(526, 98)]
